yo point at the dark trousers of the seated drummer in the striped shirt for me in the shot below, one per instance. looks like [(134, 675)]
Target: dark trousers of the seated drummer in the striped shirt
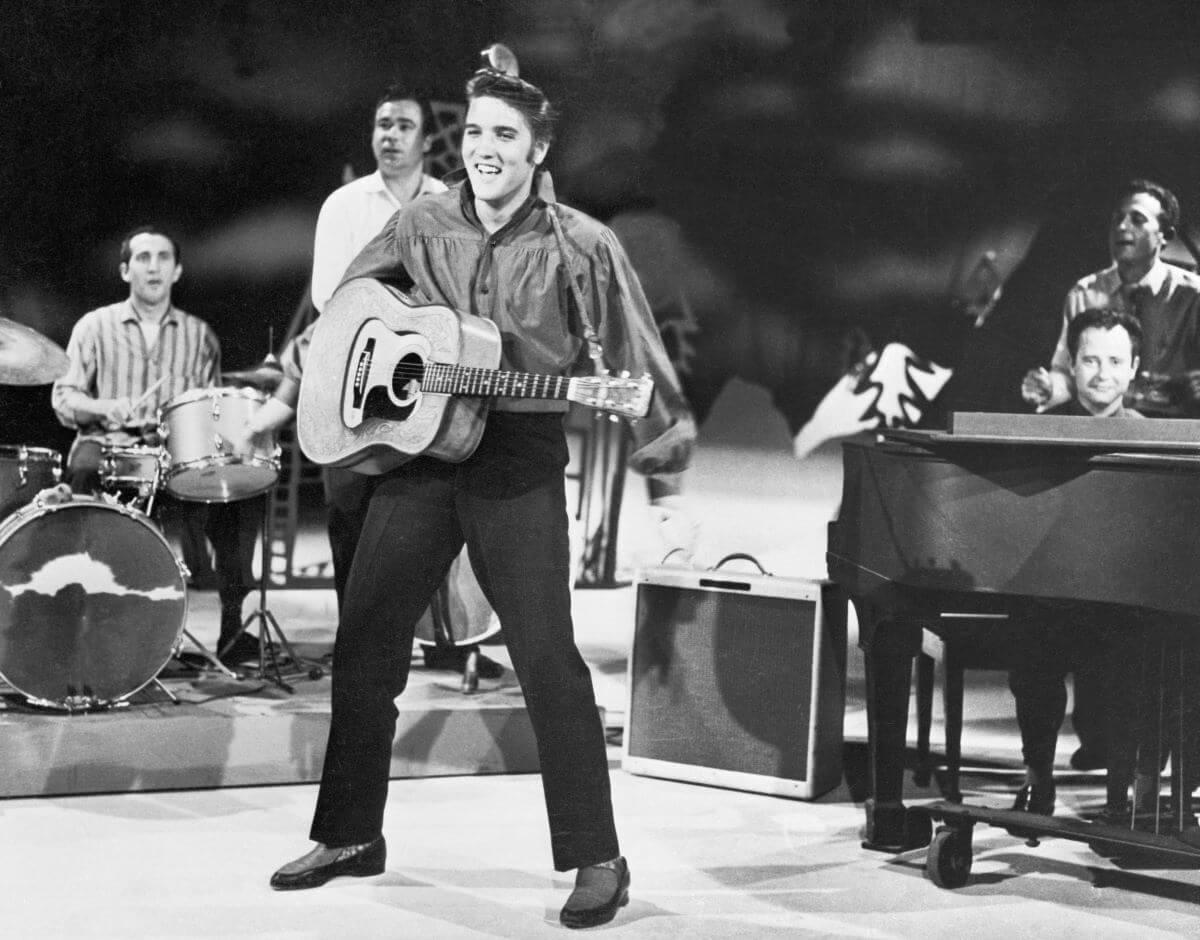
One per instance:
[(231, 528)]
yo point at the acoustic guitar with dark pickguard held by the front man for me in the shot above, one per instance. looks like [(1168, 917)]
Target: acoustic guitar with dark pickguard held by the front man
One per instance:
[(387, 381)]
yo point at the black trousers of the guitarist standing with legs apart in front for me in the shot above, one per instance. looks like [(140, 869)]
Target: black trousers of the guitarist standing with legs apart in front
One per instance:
[(508, 504)]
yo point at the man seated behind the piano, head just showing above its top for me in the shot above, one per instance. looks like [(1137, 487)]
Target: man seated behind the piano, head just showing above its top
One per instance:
[(1105, 354)]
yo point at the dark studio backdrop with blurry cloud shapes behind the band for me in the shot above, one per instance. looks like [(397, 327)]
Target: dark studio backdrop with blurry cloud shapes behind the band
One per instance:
[(795, 181)]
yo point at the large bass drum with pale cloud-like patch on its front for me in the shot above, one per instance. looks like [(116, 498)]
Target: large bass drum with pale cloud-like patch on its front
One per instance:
[(93, 603)]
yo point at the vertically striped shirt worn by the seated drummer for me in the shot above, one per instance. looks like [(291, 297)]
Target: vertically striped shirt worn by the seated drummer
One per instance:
[(110, 360)]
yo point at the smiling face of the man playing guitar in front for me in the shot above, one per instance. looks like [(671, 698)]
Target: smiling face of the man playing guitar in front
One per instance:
[(500, 154)]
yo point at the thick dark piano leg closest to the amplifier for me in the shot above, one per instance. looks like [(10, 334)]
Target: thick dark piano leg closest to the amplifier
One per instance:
[(889, 649)]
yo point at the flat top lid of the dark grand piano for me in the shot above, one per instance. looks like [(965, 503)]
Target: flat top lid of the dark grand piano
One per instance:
[(1101, 434)]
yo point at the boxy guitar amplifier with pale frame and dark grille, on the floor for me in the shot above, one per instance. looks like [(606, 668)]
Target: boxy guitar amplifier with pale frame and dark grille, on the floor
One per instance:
[(739, 681)]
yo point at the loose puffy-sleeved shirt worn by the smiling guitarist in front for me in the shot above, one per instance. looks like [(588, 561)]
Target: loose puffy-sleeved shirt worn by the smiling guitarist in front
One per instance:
[(437, 252)]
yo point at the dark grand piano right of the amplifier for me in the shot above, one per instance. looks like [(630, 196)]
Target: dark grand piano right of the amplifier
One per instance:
[(993, 516)]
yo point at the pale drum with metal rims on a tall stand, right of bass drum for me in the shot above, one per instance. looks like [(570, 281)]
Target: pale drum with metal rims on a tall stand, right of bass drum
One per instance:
[(197, 430)]
